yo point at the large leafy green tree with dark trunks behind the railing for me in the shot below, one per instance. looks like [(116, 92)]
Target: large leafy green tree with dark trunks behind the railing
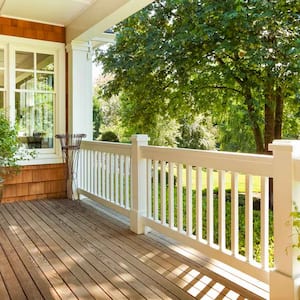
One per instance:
[(177, 58)]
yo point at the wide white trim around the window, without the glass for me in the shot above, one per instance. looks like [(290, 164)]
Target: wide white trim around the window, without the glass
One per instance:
[(11, 44)]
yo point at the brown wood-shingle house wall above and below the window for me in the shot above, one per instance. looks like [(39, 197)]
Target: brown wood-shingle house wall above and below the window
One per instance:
[(35, 181)]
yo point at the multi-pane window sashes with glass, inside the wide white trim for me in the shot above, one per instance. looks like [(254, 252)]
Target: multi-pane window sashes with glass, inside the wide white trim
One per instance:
[(34, 98)]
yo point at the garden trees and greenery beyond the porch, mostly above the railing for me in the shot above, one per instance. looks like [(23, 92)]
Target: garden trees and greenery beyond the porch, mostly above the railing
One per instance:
[(205, 74)]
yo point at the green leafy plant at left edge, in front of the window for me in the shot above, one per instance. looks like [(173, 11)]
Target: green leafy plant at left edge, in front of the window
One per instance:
[(10, 151)]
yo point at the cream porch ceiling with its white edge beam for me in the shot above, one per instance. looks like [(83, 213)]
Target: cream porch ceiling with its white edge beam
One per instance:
[(85, 20)]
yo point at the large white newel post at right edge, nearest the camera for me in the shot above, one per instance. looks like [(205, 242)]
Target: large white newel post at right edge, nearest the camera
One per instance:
[(285, 278)]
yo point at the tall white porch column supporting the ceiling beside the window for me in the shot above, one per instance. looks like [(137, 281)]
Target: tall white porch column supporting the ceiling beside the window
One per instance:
[(80, 89)]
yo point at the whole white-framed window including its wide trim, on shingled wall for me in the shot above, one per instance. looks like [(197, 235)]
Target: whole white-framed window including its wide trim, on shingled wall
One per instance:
[(32, 90)]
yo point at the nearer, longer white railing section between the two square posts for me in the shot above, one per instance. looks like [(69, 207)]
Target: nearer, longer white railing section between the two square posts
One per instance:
[(201, 180)]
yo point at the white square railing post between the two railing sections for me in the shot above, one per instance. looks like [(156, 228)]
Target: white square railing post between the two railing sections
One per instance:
[(139, 183)]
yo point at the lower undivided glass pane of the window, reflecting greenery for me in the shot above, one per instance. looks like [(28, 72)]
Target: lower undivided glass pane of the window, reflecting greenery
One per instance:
[(34, 116)]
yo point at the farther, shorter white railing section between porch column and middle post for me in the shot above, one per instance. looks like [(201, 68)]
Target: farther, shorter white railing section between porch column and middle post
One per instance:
[(105, 174)]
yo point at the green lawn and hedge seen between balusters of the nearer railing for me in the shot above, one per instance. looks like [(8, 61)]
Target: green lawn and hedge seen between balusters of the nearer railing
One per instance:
[(241, 185)]
